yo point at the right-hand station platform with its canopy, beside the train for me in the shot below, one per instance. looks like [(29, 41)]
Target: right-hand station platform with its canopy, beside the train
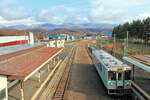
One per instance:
[(140, 74)]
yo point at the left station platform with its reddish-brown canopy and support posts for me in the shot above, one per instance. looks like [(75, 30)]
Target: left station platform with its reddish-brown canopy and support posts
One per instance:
[(22, 72)]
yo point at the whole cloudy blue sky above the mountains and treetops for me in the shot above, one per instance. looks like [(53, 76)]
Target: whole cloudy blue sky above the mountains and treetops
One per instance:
[(32, 12)]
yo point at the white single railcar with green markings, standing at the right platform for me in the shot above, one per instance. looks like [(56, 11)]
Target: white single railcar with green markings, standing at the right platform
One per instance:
[(115, 75)]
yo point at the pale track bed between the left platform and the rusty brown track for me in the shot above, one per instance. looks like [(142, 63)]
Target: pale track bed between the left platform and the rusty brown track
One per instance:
[(50, 85)]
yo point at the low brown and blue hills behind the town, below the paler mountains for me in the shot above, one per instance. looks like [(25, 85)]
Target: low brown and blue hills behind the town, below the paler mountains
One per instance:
[(70, 31)]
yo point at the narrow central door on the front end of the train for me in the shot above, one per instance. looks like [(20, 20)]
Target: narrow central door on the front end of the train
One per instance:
[(119, 80)]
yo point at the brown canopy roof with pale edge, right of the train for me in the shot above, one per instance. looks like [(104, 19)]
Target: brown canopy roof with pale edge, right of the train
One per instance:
[(140, 61)]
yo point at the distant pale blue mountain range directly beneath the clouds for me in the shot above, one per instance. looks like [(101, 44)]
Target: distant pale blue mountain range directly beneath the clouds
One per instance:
[(47, 26)]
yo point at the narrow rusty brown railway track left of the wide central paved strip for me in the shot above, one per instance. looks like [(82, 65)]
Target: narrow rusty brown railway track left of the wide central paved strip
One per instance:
[(62, 85)]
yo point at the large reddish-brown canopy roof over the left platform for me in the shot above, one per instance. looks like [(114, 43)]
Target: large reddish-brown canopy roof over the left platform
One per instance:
[(27, 63)]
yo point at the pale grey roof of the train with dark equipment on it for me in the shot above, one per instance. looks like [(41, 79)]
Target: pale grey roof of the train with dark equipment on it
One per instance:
[(108, 60)]
